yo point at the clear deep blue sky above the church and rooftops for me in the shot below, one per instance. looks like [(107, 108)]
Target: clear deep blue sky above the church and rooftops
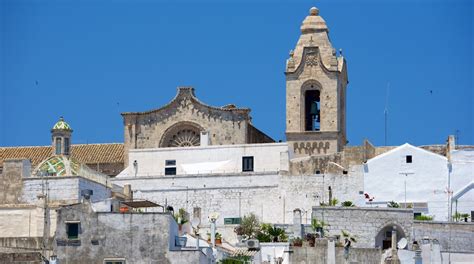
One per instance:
[(90, 60)]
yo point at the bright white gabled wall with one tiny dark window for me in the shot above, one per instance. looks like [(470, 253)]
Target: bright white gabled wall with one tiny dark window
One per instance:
[(427, 178)]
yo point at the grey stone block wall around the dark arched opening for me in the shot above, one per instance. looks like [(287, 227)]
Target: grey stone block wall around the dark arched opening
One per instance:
[(364, 223)]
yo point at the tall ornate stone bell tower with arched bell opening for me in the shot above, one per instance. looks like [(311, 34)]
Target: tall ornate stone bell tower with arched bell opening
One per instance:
[(316, 80)]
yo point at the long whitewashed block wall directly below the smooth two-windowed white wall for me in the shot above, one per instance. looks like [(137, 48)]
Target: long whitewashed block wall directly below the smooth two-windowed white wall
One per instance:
[(271, 196)]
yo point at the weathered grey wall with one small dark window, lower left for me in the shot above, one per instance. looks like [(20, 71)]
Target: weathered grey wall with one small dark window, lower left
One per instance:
[(141, 237)]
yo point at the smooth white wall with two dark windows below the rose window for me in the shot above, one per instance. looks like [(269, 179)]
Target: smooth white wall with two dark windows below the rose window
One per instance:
[(208, 159)]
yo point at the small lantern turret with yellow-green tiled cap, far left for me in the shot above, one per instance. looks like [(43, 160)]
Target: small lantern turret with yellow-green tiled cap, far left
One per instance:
[(61, 138)]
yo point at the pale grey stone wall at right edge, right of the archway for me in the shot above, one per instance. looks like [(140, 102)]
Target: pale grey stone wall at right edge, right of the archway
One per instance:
[(455, 237)]
